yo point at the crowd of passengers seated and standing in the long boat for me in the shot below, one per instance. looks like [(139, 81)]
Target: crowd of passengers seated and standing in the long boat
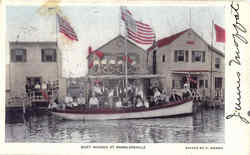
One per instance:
[(131, 97)]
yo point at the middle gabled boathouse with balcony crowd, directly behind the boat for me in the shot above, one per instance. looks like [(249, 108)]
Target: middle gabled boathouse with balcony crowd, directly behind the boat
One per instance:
[(109, 65)]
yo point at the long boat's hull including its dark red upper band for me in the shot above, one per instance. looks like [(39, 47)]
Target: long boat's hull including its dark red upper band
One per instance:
[(164, 110)]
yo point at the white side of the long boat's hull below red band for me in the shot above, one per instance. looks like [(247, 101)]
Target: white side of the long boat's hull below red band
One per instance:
[(179, 109)]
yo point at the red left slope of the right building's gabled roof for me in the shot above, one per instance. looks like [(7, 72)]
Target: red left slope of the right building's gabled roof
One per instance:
[(168, 40)]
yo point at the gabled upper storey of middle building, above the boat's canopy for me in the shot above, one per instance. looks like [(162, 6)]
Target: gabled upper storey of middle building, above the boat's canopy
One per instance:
[(113, 60)]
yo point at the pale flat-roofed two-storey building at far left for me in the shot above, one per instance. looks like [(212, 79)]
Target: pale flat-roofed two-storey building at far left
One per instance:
[(33, 62)]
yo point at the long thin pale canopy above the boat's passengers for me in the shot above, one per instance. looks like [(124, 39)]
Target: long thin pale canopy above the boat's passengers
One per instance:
[(136, 76)]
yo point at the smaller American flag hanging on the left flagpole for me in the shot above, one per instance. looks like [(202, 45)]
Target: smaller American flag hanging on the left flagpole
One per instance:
[(66, 29)]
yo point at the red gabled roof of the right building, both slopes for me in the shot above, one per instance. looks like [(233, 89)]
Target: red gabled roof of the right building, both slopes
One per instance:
[(166, 41)]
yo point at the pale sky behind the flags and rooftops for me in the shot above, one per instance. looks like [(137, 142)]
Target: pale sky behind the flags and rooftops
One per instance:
[(96, 25)]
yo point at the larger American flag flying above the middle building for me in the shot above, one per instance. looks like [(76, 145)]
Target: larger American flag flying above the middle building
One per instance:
[(137, 31)]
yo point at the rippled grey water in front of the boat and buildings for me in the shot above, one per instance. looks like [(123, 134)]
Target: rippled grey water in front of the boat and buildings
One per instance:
[(206, 126)]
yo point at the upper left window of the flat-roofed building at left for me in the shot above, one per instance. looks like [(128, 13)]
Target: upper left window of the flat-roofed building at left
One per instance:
[(18, 55)]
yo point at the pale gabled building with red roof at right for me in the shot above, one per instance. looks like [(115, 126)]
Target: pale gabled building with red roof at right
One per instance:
[(185, 56)]
